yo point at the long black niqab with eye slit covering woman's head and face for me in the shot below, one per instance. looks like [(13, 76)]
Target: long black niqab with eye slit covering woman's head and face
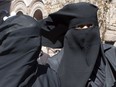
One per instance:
[(81, 47)]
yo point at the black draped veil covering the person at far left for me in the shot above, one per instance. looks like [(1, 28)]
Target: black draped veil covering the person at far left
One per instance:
[(20, 44)]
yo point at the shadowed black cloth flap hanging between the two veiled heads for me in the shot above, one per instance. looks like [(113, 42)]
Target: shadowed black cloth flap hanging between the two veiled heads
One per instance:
[(52, 32)]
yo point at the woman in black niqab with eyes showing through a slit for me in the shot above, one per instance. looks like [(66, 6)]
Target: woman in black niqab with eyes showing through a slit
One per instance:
[(84, 60)]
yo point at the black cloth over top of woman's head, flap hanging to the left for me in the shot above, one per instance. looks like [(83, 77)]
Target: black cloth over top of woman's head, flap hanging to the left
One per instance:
[(56, 25)]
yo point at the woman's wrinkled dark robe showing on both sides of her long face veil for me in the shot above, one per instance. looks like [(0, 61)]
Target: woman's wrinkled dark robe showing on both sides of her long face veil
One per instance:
[(103, 73)]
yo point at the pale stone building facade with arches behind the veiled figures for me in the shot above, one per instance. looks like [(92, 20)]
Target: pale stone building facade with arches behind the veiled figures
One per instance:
[(39, 9)]
